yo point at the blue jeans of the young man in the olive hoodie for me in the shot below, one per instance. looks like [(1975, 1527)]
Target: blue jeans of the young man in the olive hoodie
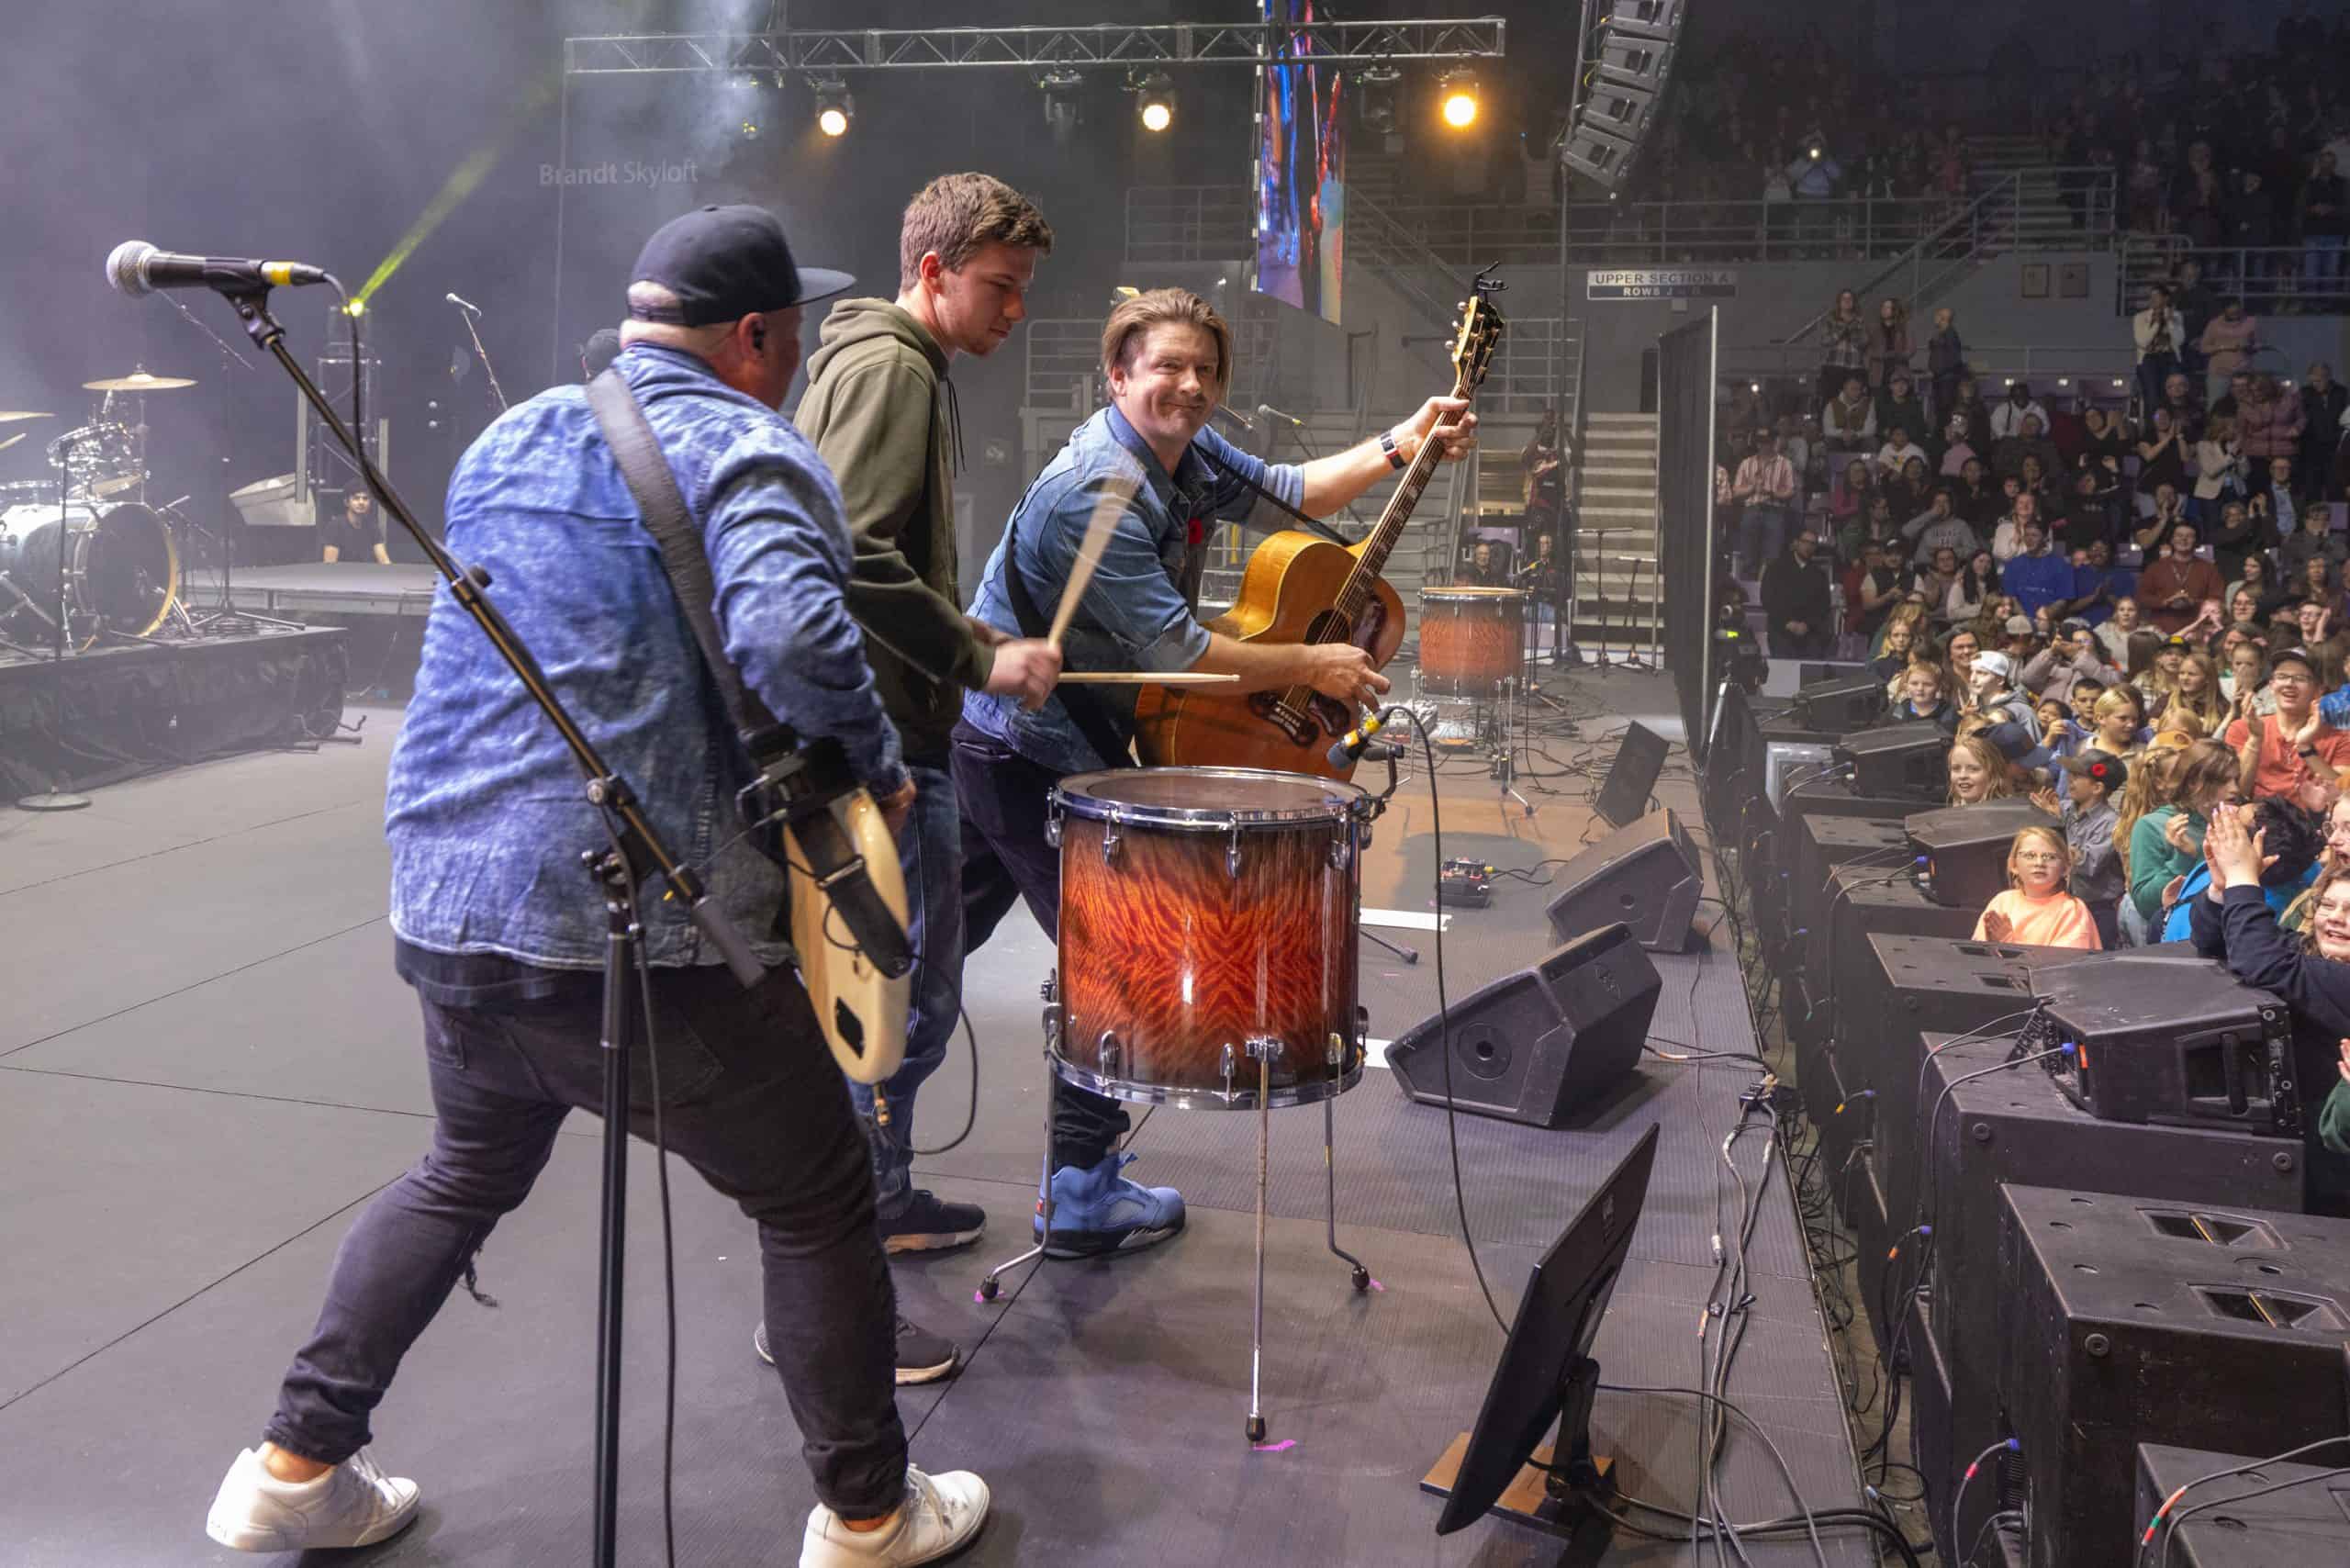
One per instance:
[(932, 855)]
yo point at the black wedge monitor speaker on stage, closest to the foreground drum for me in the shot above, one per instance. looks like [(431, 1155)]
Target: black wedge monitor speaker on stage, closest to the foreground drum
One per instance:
[(1545, 1043)]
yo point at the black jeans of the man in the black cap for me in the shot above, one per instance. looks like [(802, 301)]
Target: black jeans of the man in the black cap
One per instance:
[(751, 1099)]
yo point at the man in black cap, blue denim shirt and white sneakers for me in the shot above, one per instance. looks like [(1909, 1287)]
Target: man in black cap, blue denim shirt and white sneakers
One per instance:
[(502, 932)]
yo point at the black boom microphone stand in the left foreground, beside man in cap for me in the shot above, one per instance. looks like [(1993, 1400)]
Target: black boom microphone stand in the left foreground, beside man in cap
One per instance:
[(622, 871)]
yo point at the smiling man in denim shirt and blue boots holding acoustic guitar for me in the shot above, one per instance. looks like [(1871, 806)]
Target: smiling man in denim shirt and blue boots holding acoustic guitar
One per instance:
[(1169, 361)]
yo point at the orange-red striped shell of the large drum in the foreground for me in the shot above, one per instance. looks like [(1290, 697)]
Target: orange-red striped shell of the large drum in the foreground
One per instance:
[(1176, 956)]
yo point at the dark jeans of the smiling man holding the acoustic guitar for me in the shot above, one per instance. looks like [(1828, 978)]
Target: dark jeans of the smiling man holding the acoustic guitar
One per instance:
[(1005, 803)]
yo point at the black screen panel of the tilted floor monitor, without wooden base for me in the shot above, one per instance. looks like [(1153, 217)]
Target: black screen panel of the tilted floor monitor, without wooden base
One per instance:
[(1547, 1374)]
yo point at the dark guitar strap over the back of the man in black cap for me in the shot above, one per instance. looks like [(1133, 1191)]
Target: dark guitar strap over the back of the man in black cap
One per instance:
[(833, 862)]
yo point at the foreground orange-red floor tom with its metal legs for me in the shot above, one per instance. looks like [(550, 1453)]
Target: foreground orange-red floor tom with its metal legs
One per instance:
[(1207, 960)]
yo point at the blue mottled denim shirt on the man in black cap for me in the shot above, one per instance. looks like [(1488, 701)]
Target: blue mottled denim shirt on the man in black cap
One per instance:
[(485, 812)]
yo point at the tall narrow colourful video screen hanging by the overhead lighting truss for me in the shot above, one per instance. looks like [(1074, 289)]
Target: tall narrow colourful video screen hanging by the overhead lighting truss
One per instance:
[(1301, 170)]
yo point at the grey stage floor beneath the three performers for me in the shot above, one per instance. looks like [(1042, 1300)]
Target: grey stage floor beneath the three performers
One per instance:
[(208, 1066)]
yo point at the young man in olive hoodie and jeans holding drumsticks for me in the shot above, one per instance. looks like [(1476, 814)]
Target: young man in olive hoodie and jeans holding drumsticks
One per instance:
[(882, 415)]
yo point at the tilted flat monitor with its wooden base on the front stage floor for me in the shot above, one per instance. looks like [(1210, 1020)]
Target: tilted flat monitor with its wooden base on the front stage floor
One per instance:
[(1547, 1379)]
